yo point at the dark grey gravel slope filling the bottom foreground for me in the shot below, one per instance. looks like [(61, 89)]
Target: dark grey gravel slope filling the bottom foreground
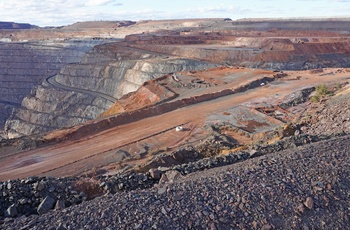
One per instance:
[(303, 188)]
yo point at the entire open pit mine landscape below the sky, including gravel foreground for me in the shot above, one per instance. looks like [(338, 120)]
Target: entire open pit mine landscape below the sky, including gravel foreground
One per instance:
[(142, 108)]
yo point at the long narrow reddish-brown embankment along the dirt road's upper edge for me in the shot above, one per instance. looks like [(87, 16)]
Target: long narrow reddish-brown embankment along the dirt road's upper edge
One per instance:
[(93, 127)]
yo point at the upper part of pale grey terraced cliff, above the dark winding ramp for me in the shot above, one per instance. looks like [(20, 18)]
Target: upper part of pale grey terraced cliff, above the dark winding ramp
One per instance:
[(119, 77)]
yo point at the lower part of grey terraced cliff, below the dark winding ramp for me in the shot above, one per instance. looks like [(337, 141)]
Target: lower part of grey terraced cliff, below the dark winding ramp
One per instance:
[(47, 109)]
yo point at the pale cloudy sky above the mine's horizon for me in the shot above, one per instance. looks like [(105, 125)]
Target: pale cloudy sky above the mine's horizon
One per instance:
[(63, 12)]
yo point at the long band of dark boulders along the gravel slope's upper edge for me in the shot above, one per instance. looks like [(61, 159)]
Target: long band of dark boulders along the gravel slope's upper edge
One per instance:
[(38, 195)]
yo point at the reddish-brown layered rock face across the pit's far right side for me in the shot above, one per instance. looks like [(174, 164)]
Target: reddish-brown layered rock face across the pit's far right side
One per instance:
[(290, 51)]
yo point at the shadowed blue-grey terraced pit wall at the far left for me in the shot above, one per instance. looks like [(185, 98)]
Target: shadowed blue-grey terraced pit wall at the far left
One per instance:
[(25, 65)]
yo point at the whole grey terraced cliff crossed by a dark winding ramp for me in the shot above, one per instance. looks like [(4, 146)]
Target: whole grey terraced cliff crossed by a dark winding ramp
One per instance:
[(82, 91)]
